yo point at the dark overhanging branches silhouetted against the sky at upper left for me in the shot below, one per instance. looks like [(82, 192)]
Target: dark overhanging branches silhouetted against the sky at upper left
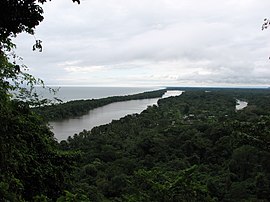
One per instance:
[(17, 16)]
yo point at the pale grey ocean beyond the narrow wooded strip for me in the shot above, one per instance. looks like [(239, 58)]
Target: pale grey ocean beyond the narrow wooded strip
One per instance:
[(76, 93)]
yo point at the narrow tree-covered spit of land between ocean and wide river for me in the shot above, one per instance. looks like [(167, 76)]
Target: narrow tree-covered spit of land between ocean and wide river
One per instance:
[(77, 108)]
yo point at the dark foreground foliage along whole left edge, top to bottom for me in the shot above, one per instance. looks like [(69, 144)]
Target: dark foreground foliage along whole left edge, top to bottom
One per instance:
[(32, 167)]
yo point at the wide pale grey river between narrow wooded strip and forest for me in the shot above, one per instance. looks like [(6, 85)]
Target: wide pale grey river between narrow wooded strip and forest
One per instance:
[(103, 115)]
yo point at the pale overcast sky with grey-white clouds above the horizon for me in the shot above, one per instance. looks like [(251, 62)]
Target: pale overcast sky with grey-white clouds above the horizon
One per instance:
[(151, 43)]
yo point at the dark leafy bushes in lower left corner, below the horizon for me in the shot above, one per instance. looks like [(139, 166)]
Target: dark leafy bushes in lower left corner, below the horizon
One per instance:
[(31, 163)]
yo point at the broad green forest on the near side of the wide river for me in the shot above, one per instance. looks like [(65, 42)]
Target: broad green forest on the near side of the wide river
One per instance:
[(193, 147)]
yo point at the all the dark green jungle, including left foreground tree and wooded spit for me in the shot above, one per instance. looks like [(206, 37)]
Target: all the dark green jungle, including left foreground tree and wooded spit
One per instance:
[(193, 147)]
